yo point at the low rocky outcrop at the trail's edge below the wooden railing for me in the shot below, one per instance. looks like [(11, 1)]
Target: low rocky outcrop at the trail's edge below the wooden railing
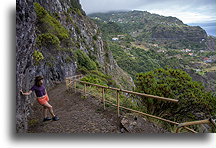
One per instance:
[(136, 124)]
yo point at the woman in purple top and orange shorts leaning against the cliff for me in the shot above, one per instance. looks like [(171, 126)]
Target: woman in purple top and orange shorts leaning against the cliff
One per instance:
[(42, 98)]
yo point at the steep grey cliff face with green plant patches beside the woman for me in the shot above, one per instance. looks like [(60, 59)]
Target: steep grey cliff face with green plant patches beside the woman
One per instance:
[(47, 33)]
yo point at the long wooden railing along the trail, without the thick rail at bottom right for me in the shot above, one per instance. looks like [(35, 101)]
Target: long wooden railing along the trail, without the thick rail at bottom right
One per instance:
[(71, 83)]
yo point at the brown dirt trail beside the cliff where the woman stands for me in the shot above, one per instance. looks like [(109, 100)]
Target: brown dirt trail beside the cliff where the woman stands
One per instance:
[(77, 115)]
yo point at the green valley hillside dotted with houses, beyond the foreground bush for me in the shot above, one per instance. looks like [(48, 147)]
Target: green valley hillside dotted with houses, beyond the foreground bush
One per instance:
[(149, 41)]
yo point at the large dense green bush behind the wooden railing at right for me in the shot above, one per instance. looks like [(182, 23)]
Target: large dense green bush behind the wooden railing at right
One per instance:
[(177, 84)]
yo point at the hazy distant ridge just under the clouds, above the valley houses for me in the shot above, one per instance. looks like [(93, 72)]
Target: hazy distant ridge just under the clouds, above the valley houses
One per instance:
[(144, 26)]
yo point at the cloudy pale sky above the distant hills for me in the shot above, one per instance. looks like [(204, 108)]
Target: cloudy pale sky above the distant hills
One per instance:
[(189, 11)]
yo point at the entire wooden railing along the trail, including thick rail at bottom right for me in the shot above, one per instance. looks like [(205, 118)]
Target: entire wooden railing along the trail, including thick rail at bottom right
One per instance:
[(71, 83)]
